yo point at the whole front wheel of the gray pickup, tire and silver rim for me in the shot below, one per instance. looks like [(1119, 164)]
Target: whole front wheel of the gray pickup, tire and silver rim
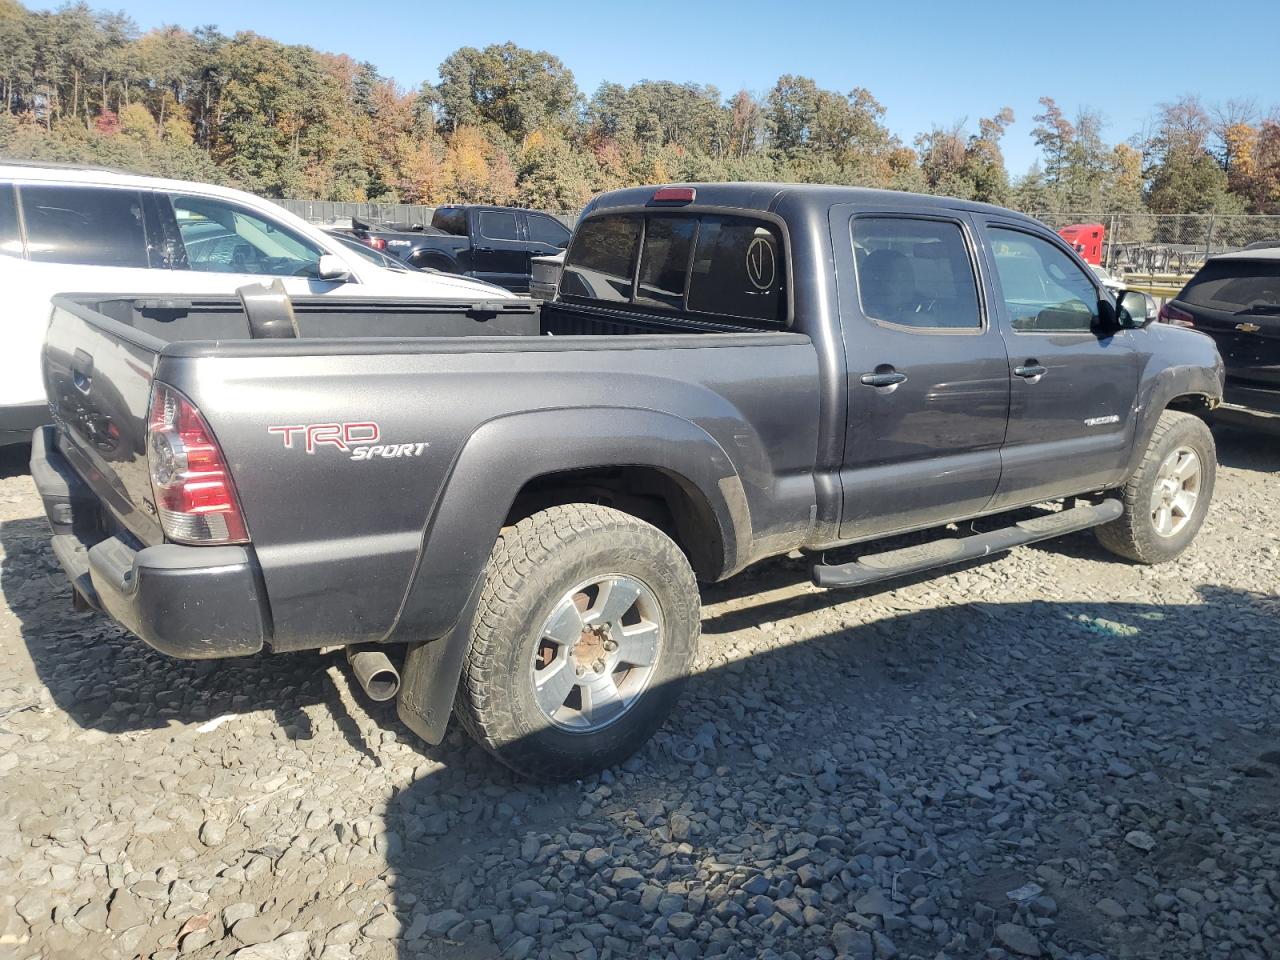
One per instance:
[(1168, 497)]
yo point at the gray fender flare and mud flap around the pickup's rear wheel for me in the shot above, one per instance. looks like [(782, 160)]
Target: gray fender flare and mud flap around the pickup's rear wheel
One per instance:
[(497, 461)]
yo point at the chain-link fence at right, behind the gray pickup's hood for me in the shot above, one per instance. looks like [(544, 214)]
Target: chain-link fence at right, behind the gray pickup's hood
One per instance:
[(1171, 244)]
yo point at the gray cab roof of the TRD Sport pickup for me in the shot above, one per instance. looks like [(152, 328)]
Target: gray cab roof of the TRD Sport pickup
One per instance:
[(812, 198)]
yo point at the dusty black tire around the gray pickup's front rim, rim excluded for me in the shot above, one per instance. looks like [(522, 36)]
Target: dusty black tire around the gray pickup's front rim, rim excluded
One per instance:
[(1133, 534)]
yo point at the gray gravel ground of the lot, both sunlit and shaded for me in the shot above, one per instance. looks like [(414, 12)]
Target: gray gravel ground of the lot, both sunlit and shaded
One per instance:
[(1046, 755)]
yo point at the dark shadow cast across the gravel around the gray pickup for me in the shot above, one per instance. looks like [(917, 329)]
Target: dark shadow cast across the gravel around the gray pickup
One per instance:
[(881, 785)]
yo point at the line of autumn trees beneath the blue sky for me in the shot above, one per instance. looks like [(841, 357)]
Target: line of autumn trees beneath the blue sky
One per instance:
[(509, 125)]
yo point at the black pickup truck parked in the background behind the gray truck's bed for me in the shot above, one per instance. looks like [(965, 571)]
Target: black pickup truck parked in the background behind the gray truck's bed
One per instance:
[(491, 244)]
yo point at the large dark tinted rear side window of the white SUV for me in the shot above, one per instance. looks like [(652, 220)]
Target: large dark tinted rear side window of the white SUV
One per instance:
[(90, 226)]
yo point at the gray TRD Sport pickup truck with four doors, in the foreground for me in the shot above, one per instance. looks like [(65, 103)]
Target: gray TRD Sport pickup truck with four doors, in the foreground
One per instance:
[(502, 511)]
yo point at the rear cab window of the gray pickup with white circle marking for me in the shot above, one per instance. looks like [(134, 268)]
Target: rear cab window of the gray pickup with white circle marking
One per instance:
[(716, 267)]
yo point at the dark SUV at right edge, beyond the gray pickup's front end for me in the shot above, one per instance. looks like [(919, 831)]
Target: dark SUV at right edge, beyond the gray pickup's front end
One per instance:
[(1236, 300)]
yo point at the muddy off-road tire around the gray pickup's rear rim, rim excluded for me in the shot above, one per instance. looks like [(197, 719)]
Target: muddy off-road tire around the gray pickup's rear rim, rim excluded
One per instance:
[(532, 568)]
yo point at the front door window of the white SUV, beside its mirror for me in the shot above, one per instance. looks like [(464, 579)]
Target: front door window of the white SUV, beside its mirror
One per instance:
[(227, 239)]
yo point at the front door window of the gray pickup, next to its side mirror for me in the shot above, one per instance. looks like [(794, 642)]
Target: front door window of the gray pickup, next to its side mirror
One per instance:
[(1043, 287)]
